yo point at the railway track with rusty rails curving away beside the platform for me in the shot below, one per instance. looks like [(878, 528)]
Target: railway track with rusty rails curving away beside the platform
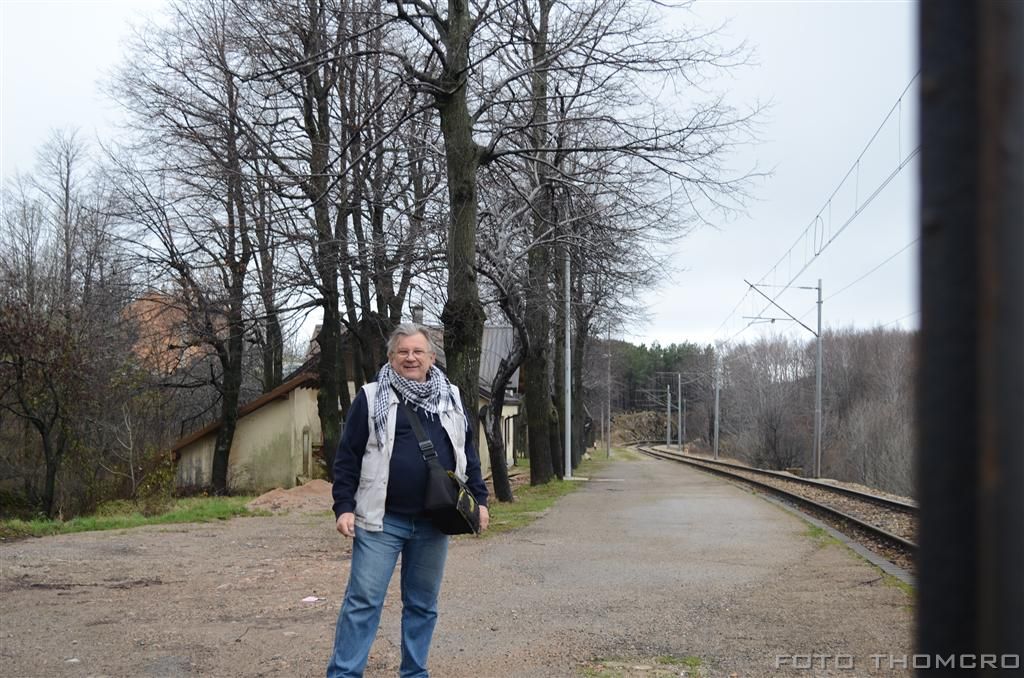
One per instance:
[(885, 526)]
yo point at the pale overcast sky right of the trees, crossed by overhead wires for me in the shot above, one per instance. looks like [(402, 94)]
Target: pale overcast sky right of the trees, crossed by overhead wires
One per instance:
[(832, 72)]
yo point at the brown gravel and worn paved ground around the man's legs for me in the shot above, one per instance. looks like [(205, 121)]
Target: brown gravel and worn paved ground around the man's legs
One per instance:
[(648, 565)]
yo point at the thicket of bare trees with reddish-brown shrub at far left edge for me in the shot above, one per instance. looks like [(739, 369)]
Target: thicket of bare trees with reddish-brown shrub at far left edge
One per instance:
[(65, 345)]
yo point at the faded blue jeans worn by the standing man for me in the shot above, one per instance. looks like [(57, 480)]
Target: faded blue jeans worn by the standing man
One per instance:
[(423, 552)]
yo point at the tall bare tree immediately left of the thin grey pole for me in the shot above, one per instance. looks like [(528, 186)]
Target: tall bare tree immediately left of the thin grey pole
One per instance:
[(569, 114)]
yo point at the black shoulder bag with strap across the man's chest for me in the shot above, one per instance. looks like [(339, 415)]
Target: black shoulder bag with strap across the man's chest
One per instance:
[(452, 507)]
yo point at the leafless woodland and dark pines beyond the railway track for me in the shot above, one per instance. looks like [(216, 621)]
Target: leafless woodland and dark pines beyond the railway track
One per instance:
[(766, 402)]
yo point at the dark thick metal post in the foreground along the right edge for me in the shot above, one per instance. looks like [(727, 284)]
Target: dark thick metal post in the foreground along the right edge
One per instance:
[(971, 384)]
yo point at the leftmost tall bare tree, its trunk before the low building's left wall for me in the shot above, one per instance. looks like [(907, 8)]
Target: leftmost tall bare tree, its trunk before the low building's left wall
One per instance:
[(191, 190)]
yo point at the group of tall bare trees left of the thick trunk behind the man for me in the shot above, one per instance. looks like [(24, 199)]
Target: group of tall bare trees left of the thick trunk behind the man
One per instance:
[(310, 177)]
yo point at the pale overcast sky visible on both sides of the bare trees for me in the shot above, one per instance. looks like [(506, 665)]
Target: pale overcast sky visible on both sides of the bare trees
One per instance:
[(832, 72)]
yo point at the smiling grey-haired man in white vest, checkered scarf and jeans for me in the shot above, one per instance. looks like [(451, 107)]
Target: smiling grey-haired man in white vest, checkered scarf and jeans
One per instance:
[(379, 486)]
